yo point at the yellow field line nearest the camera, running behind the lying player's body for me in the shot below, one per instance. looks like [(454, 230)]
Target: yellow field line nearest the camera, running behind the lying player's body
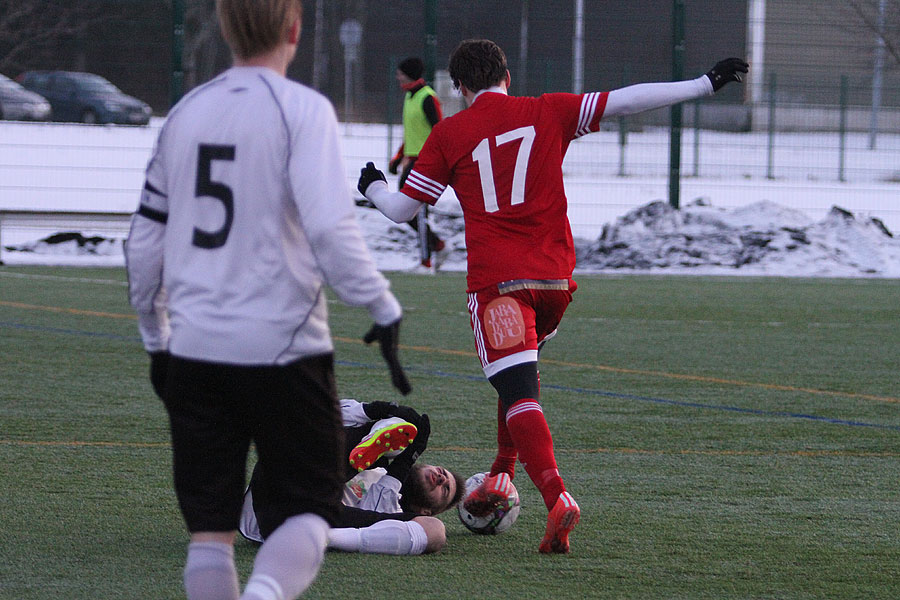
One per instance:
[(625, 451)]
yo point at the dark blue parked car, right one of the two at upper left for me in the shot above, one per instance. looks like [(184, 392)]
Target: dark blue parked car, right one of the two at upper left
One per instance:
[(86, 98)]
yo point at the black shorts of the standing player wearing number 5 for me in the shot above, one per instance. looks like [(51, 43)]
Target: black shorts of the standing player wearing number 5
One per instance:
[(292, 415)]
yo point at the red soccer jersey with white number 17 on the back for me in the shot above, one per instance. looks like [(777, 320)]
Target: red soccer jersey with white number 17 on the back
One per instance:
[(503, 156)]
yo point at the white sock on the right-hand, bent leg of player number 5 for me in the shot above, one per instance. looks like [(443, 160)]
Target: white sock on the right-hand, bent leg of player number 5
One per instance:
[(288, 561)]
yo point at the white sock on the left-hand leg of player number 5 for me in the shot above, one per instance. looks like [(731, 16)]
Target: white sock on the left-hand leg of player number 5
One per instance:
[(209, 572)]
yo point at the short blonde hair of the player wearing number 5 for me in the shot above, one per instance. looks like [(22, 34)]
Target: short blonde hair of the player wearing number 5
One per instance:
[(254, 27)]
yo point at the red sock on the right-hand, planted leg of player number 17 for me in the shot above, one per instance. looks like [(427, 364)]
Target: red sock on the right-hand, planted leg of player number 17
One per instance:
[(528, 428)]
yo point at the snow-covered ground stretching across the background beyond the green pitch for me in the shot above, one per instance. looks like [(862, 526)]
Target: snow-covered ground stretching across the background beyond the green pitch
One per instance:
[(728, 224)]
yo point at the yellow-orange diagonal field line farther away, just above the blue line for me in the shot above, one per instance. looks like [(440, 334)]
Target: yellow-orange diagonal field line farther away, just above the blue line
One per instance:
[(606, 368)]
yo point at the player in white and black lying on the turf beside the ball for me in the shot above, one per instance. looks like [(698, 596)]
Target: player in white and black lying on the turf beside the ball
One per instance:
[(389, 500)]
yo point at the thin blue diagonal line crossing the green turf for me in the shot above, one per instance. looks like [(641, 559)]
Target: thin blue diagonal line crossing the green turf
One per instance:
[(561, 388)]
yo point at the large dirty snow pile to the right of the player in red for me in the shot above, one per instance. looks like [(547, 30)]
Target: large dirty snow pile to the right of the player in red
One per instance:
[(762, 238)]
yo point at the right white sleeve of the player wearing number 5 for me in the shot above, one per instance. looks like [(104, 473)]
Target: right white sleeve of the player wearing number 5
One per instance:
[(328, 217)]
